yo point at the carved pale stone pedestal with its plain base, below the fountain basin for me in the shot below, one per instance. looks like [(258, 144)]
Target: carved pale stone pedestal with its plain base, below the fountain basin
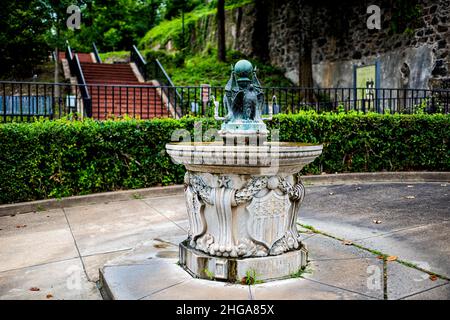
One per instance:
[(242, 223)]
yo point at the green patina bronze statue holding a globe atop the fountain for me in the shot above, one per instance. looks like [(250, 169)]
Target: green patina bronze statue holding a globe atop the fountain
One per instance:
[(244, 100)]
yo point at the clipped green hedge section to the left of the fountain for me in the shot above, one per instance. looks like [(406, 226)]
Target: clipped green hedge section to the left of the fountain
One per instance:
[(50, 159)]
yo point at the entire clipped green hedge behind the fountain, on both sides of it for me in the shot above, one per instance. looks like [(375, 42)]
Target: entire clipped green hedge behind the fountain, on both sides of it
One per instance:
[(52, 159)]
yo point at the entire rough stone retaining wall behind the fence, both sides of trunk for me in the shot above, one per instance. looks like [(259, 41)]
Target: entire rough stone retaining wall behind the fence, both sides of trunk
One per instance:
[(418, 57)]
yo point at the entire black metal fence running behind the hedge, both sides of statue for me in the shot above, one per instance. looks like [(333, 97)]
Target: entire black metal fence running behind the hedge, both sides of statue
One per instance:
[(24, 101)]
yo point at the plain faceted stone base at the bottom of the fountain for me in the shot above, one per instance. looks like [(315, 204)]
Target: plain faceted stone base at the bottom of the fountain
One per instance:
[(203, 266)]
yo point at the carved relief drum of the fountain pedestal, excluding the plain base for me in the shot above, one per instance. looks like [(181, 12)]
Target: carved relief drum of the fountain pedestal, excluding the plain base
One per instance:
[(272, 205)]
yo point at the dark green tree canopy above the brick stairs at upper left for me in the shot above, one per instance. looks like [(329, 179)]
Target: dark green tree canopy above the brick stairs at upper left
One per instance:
[(30, 30)]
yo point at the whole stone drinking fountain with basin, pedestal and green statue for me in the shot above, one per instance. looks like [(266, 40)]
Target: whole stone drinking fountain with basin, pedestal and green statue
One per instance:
[(243, 193)]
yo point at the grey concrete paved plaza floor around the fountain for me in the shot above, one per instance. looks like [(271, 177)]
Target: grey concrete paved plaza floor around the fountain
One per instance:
[(57, 254)]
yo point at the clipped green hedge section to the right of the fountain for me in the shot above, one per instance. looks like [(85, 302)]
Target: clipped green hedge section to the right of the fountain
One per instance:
[(356, 142)]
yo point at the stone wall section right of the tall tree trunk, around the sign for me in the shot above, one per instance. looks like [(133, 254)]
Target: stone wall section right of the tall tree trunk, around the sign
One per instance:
[(417, 58)]
